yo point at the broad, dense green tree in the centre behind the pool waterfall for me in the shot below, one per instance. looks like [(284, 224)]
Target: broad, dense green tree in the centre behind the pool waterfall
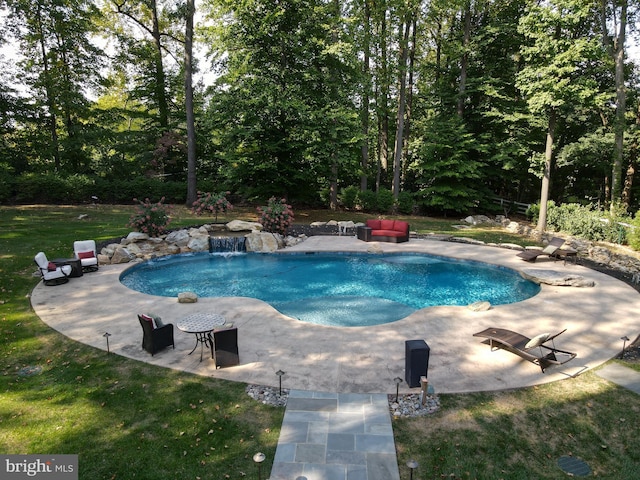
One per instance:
[(285, 97)]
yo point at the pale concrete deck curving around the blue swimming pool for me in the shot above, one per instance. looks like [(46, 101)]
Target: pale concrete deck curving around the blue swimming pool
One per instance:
[(361, 359)]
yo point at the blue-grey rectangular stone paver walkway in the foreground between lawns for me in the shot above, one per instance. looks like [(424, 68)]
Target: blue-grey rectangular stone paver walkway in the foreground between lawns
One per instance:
[(336, 436)]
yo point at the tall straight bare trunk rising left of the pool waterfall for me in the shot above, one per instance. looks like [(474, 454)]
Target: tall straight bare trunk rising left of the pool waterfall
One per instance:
[(188, 95)]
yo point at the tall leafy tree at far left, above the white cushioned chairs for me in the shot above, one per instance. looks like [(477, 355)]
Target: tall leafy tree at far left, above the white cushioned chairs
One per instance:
[(60, 65)]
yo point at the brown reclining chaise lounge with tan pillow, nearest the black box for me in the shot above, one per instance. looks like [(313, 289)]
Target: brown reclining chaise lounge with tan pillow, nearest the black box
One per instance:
[(524, 347)]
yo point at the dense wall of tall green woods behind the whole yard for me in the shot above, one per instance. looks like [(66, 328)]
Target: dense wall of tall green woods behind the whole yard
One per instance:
[(445, 104)]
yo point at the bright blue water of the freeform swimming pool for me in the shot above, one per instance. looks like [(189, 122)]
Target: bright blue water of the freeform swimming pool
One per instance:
[(333, 288)]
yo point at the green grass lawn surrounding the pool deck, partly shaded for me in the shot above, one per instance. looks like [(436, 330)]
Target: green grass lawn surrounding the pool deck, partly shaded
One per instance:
[(127, 419)]
